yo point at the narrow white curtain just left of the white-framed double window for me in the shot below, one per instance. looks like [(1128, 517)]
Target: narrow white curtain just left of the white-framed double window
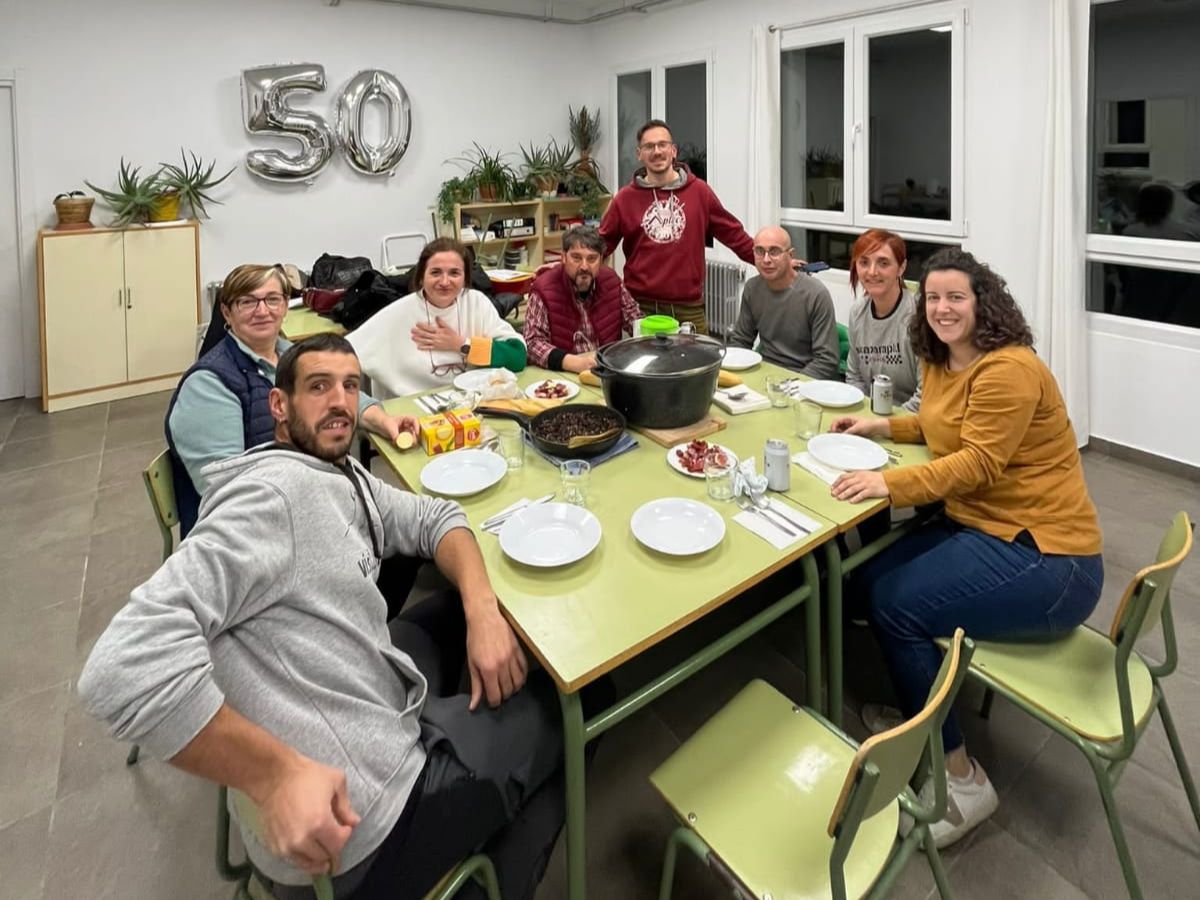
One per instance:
[(763, 189)]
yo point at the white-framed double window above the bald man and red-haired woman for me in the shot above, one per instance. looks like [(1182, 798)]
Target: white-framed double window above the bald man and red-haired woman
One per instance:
[(872, 124)]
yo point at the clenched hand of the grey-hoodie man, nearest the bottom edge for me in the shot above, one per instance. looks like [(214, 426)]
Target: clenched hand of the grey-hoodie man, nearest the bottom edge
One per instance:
[(308, 817)]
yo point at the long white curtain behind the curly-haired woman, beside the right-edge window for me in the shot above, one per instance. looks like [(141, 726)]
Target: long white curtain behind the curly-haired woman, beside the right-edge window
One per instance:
[(1060, 323)]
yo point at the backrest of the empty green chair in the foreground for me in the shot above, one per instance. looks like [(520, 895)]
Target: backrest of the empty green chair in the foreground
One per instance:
[(892, 758)]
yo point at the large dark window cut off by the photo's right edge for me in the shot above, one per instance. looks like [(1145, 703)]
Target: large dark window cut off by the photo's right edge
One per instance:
[(1144, 205)]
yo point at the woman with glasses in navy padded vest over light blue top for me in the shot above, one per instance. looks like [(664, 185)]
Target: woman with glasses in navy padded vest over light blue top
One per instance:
[(220, 409)]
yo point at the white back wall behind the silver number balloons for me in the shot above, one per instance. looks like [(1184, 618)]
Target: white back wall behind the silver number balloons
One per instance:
[(146, 77)]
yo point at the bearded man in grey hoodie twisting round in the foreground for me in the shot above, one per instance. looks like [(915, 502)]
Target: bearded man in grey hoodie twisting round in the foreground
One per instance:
[(260, 657)]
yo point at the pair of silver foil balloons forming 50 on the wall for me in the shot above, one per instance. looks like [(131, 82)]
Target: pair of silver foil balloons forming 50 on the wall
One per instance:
[(266, 110)]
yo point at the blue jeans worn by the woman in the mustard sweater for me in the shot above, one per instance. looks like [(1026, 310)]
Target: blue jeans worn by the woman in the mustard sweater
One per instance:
[(947, 577)]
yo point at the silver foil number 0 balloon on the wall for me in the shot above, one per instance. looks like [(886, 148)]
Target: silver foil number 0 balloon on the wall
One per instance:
[(352, 104)]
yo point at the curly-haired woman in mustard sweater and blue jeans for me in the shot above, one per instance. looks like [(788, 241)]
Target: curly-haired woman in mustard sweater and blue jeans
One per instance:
[(1017, 556)]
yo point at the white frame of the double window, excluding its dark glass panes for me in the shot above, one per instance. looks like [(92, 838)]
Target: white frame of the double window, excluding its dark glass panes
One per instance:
[(856, 33)]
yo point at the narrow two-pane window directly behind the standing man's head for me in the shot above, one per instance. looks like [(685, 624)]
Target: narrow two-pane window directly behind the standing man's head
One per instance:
[(676, 92)]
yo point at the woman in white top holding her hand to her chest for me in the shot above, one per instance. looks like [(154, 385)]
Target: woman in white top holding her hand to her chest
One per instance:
[(439, 332)]
